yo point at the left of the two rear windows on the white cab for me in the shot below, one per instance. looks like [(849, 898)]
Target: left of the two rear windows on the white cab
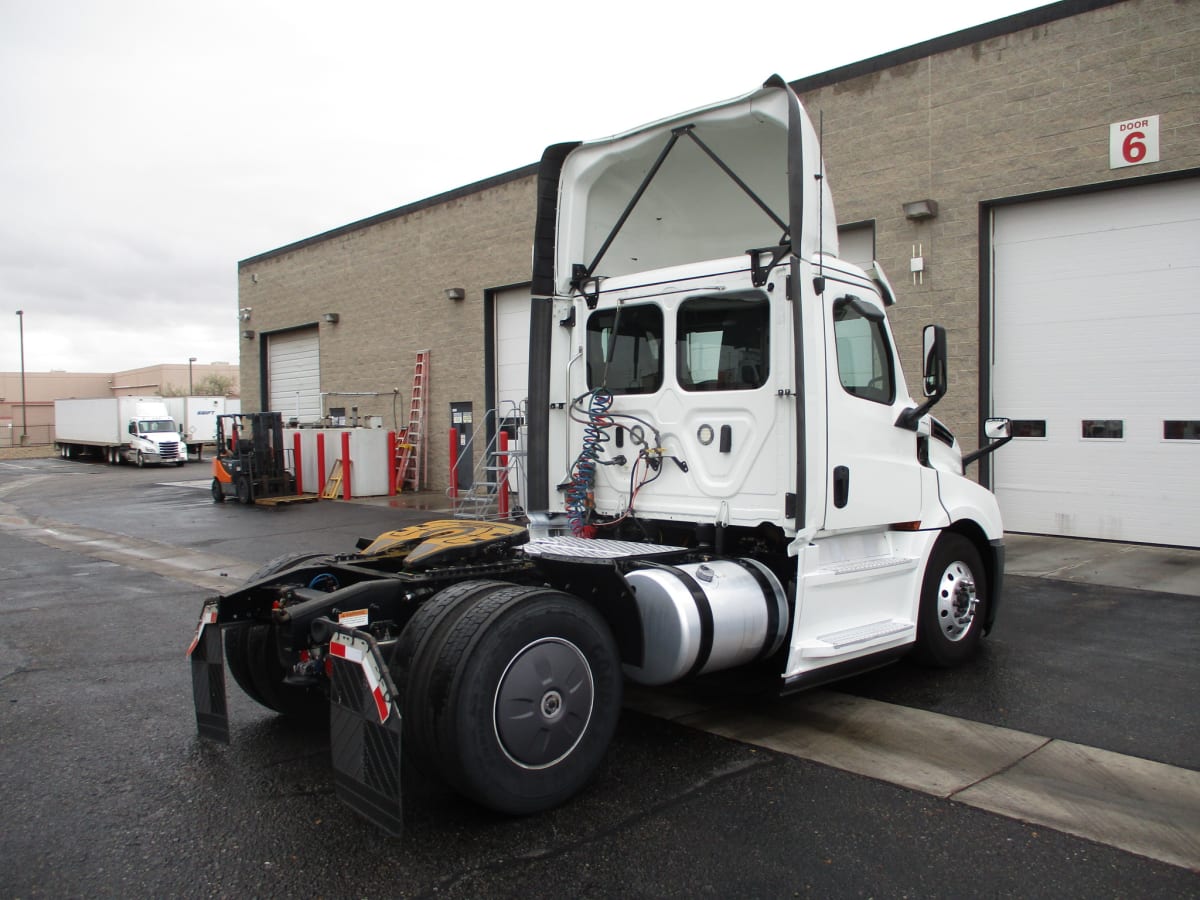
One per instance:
[(626, 350)]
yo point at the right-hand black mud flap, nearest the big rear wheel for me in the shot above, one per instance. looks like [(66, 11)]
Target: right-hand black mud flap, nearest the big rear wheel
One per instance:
[(364, 730)]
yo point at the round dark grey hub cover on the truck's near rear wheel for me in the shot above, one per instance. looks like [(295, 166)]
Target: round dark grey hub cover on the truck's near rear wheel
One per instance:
[(544, 704)]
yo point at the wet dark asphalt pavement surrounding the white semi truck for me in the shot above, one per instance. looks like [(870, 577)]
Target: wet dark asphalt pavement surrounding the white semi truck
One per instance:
[(110, 793)]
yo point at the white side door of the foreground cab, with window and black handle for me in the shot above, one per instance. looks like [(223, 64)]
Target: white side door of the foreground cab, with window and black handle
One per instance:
[(874, 475)]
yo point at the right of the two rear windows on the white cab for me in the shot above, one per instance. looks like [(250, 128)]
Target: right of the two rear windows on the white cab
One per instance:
[(723, 344)]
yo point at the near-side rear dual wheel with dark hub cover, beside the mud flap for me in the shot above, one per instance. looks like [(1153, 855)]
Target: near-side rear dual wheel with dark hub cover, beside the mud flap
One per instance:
[(512, 693)]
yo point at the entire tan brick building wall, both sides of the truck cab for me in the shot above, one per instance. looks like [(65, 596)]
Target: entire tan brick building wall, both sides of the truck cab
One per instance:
[(1010, 110)]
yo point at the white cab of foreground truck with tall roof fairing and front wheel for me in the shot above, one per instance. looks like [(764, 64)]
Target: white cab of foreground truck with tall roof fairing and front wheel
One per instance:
[(710, 374)]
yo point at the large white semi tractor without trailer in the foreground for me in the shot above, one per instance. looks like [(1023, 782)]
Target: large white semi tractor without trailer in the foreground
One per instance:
[(727, 472)]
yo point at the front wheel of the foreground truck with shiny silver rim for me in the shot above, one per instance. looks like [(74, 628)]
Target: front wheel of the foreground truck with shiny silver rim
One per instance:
[(953, 603)]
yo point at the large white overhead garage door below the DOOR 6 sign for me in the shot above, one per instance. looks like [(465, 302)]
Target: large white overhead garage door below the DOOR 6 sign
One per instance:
[(1097, 359)]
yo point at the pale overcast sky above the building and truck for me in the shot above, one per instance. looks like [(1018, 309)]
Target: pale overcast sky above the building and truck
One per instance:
[(148, 146)]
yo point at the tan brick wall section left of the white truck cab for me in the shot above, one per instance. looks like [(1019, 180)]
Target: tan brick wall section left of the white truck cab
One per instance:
[(386, 279)]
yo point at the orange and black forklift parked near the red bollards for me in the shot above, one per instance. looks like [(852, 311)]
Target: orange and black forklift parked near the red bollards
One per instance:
[(249, 465)]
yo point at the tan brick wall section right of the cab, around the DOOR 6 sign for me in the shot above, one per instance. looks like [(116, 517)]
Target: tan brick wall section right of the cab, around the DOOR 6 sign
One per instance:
[(1016, 115)]
